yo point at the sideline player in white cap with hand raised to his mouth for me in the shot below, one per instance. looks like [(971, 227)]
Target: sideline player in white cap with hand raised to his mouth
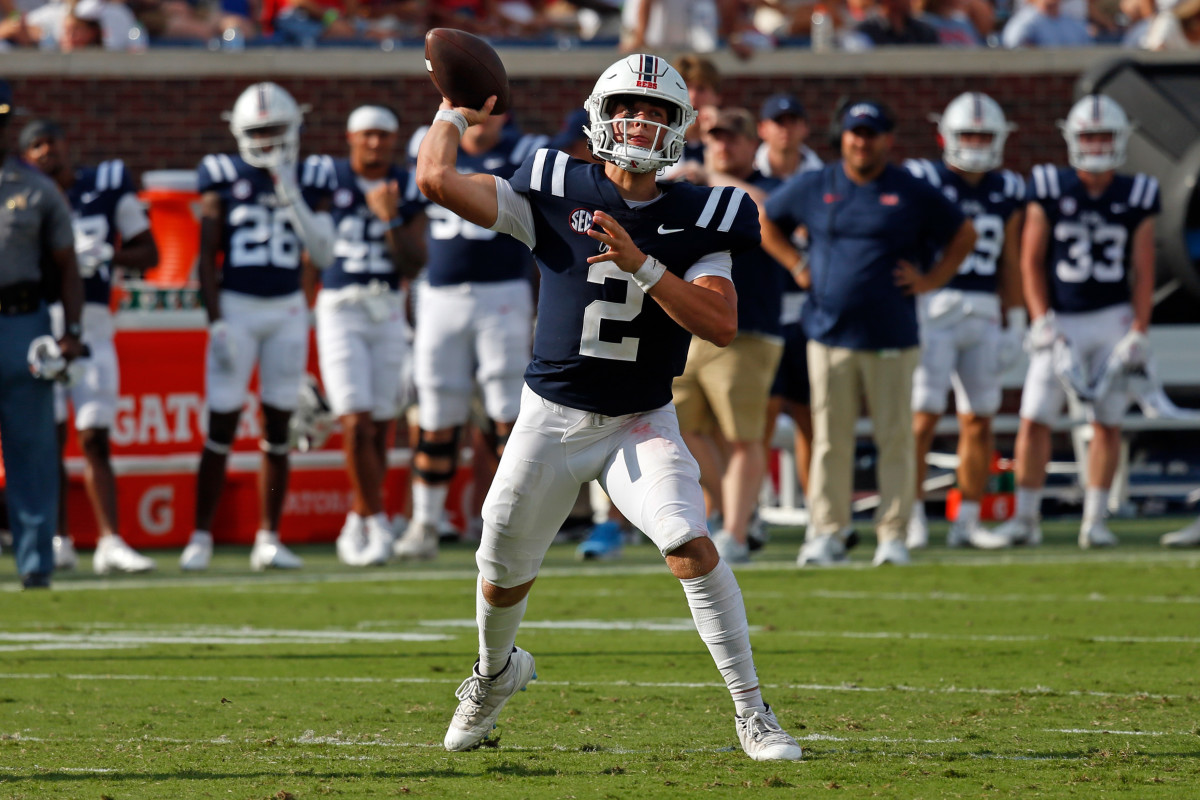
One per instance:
[(362, 332)]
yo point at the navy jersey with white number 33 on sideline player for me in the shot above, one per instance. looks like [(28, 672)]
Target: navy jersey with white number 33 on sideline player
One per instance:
[(1088, 260)]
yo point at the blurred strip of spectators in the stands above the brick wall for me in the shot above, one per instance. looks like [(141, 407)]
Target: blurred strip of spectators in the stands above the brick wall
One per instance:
[(704, 26)]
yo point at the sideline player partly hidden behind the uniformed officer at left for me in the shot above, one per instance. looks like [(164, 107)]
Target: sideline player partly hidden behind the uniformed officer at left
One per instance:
[(111, 231)]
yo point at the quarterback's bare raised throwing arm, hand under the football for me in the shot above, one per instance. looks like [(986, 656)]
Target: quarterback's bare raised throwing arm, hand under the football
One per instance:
[(471, 196)]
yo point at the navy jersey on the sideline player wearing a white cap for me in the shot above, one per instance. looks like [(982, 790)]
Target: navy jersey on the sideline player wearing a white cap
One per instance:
[(361, 251)]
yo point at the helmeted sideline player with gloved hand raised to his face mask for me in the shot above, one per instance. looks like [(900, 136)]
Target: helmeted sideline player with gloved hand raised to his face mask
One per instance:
[(254, 213)]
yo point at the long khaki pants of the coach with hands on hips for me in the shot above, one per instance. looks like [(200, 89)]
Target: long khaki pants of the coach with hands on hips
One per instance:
[(841, 378)]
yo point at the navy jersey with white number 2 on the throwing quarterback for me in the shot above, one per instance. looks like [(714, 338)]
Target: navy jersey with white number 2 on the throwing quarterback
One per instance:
[(601, 345)]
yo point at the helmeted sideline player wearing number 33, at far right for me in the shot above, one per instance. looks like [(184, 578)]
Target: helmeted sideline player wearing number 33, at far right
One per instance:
[(1088, 232)]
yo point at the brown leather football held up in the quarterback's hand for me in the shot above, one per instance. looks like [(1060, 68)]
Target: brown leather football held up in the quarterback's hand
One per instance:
[(466, 69)]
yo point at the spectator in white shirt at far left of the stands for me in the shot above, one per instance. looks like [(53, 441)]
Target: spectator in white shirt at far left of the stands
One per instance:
[(70, 27)]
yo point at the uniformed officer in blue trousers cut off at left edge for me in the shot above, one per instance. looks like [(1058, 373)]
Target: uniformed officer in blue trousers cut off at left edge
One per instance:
[(35, 231)]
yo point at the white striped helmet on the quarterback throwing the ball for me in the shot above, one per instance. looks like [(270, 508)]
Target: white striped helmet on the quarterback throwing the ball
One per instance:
[(640, 76)]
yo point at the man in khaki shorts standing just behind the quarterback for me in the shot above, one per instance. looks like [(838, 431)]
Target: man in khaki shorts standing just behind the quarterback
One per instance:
[(729, 387)]
